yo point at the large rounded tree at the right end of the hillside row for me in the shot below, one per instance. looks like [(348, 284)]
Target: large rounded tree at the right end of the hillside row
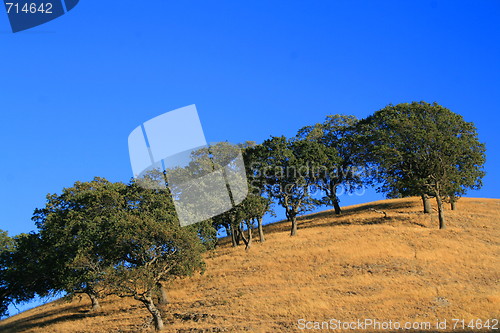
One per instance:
[(425, 149)]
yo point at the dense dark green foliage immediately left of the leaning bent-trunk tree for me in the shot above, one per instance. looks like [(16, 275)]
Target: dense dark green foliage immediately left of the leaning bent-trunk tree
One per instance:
[(78, 230)]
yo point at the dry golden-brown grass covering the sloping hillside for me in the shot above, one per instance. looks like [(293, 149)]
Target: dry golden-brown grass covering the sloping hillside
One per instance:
[(355, 266)]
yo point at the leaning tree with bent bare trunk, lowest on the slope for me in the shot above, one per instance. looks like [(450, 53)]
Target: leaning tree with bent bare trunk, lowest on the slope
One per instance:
[(154, 248)]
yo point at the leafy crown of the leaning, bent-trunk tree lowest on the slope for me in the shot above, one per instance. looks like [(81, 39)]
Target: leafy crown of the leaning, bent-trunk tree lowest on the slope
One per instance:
[(160, 251)]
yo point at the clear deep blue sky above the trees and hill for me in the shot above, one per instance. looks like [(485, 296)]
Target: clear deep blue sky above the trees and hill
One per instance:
[(72, 90)]
